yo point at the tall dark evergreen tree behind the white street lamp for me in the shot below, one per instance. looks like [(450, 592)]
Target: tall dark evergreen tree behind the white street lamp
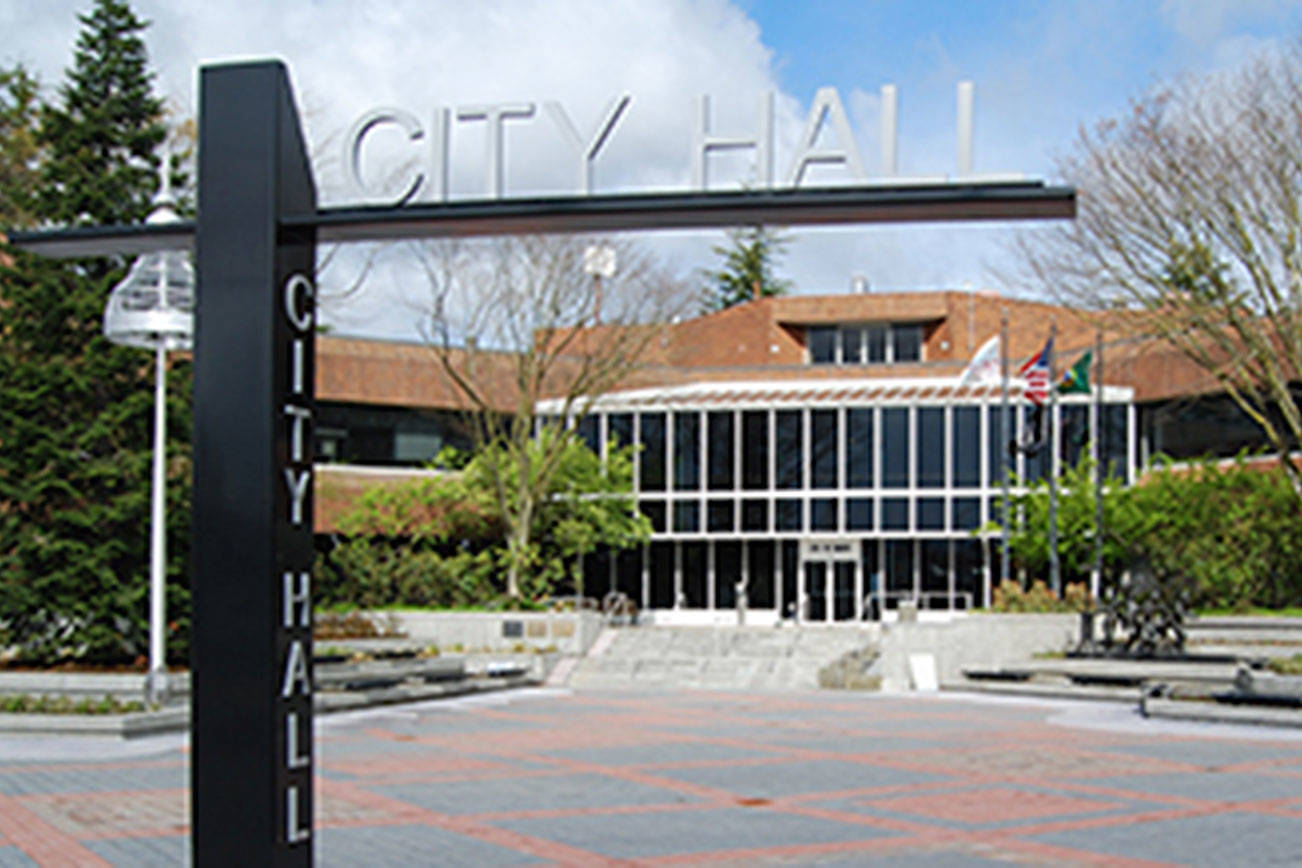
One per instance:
[(76, 411)]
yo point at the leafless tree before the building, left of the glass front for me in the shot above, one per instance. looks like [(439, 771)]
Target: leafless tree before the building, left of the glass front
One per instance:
[(516, 321)]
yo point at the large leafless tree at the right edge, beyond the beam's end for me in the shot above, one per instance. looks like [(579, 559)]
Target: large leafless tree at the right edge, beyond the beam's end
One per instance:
[(1191, 230)]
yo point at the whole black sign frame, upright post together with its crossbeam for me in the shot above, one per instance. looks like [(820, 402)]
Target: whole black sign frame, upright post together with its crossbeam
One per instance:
[(255, 381)]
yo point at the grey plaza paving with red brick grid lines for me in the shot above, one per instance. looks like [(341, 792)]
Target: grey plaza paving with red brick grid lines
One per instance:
[(590, 779)]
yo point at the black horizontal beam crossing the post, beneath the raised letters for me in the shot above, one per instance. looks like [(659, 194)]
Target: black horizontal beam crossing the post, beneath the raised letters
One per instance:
[(801, 206)]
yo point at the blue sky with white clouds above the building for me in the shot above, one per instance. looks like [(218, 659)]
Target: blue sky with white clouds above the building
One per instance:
[(1042, 71)]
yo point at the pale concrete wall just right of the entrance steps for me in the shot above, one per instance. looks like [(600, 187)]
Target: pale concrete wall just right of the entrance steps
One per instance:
[(976, 642)]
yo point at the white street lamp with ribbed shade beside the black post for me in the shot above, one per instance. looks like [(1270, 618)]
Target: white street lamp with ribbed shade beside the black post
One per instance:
[(154, 309)]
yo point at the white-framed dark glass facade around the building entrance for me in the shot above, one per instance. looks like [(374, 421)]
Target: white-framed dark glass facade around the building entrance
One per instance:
[(734, 494)]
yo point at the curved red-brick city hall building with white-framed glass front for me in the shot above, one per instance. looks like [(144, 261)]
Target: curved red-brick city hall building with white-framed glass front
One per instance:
[(817, 455)]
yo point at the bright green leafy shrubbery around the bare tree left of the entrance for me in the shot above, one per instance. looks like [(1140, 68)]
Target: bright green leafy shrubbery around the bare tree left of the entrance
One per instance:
[(442, 541)]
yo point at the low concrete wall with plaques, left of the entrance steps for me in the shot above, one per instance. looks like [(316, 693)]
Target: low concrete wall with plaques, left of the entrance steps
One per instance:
[(572, 633)]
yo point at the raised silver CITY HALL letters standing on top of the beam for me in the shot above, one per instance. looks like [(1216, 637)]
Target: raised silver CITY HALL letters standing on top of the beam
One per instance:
[(429, 152)]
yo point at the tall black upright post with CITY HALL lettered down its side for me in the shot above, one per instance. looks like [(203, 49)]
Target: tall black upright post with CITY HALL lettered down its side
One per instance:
[(252, 726)]
